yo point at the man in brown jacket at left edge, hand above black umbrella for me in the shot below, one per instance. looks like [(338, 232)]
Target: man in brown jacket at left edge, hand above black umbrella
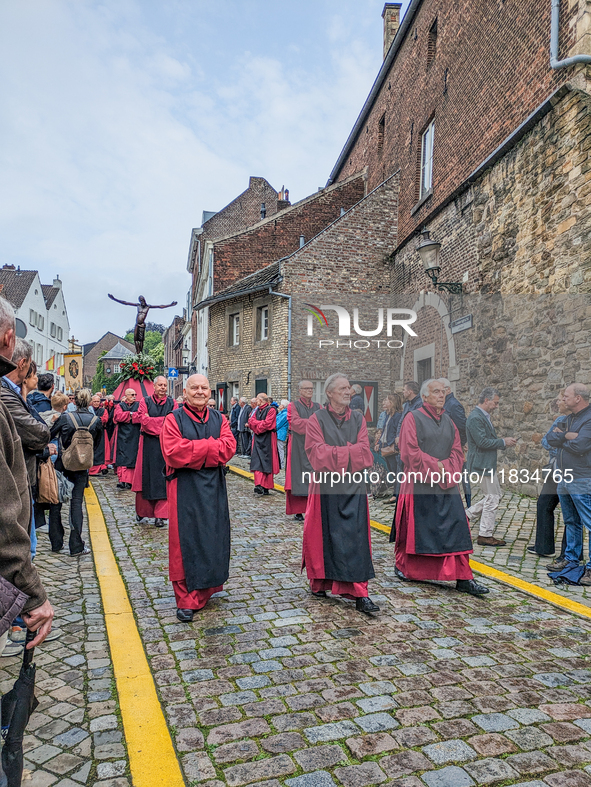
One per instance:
[(15, 511)]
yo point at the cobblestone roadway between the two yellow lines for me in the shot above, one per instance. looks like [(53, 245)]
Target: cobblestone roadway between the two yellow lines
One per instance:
[(270, 686)]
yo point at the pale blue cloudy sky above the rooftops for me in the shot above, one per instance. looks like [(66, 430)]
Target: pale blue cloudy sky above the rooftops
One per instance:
[(122, 120)]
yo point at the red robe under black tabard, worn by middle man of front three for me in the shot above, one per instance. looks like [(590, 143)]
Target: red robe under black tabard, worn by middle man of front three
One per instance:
[(323, 457)]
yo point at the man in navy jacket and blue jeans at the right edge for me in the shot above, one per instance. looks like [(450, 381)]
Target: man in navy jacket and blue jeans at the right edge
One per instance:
[(572, 439)]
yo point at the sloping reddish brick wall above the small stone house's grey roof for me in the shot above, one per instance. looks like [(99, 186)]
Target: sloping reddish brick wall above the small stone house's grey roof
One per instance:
[(279, 236)]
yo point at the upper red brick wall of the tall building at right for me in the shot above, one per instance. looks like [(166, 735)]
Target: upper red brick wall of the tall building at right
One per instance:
[(489, 73)]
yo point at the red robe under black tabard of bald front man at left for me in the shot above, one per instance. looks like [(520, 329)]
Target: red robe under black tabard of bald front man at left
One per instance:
[(195, 454)]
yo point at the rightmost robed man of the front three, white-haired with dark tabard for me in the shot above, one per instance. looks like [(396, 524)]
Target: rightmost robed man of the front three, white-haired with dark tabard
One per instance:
[(433, 538)]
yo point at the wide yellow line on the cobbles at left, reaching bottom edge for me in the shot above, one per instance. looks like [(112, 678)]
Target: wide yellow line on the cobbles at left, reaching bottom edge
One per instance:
[(152, 757)]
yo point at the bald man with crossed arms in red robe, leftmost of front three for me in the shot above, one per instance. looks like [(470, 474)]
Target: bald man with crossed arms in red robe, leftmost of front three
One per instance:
[(196, 443)]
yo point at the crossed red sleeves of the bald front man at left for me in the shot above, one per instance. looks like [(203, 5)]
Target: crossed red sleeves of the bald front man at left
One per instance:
[(196, 454)]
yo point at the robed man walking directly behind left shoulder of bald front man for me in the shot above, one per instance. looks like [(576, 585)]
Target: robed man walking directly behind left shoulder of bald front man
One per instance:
[(149, 482)]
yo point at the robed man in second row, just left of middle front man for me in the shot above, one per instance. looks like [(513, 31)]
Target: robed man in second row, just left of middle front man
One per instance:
[(298, 413)]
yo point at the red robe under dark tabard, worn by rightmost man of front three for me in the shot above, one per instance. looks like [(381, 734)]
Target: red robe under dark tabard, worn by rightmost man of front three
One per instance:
[(446, 567)]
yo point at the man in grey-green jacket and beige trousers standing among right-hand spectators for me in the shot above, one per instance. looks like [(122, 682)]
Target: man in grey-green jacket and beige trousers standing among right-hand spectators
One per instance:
[(483, 446)]
